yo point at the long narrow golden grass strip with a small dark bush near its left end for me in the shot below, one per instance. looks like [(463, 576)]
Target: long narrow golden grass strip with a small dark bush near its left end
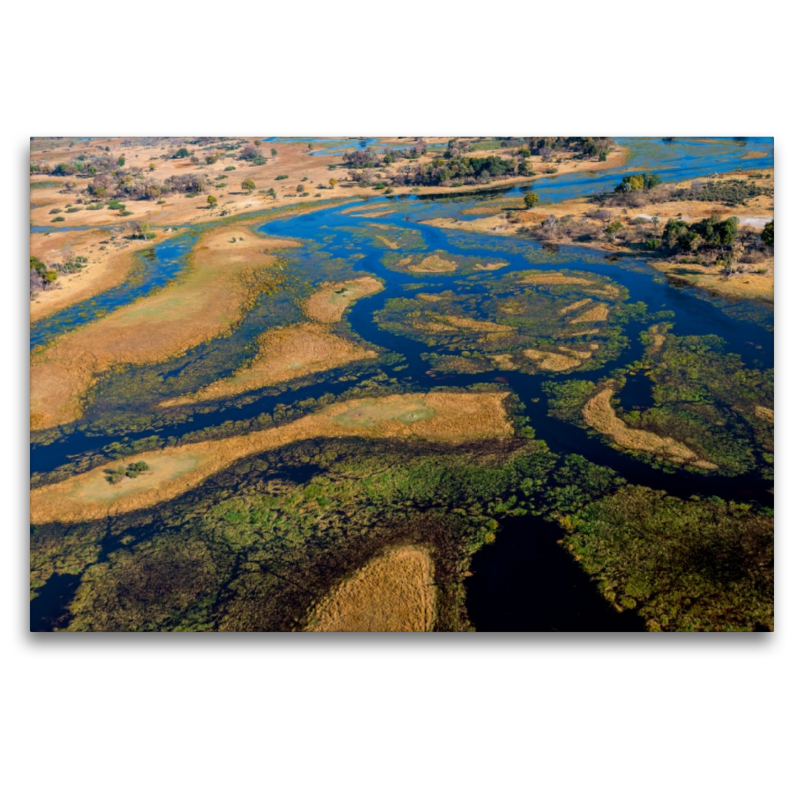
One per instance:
[(438, 416)]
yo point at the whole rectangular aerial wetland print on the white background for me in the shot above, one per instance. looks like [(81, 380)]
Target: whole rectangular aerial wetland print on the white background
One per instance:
[(401, 384)]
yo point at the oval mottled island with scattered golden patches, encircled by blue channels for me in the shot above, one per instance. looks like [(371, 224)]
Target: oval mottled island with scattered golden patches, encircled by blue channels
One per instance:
[(529, 321)]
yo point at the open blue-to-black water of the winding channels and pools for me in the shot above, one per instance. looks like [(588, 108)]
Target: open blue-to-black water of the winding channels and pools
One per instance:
[(521, 582)]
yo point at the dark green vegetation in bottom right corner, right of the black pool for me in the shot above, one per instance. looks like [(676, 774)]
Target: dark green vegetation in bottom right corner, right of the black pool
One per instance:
[(692, 565)]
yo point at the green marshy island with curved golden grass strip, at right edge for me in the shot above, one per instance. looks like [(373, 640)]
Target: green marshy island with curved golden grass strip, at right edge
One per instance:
[(708, 412)]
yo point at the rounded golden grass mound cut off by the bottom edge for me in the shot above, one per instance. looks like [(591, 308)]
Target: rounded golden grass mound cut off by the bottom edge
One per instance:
[(394, 592)]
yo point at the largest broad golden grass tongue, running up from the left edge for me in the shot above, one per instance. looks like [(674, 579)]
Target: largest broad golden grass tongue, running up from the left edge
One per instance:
[(226, 272)]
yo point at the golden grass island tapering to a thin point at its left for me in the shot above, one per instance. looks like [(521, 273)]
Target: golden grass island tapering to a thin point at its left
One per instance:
[(284, 353)]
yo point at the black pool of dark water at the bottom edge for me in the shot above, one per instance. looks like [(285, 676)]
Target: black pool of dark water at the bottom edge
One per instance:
[(526, 581)]
